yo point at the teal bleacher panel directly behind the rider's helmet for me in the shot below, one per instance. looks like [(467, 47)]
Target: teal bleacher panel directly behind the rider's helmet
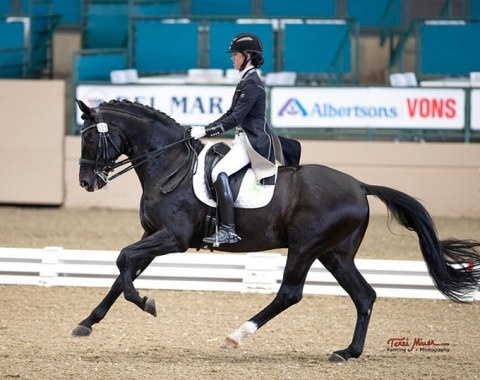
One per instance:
[(220, 37)]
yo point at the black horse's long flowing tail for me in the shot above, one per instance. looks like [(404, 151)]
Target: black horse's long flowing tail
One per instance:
[(453, 264)]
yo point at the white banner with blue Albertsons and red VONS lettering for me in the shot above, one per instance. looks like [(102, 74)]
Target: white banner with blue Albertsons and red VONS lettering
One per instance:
[(367, 107)]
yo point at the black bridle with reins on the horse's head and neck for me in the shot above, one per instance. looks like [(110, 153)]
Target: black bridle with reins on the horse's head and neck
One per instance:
[(104, 165)]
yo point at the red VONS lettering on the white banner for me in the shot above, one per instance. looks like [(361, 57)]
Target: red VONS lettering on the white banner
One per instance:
[(431, 108)]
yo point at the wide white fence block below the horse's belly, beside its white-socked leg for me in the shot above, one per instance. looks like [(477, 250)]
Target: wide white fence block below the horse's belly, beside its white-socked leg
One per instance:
[(261, 272)]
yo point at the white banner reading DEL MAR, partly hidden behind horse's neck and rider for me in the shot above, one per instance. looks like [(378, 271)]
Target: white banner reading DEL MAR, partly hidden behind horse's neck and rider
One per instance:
[(187, 104)]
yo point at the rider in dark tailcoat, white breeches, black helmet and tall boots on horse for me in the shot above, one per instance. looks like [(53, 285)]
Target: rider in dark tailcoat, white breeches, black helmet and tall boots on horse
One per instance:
[(254, 141)]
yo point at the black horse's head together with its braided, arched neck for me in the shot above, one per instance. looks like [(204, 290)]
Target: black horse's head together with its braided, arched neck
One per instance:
[(142, 133)]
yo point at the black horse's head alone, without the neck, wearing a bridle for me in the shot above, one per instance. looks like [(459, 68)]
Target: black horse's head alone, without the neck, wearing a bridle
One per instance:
[(102, 144)]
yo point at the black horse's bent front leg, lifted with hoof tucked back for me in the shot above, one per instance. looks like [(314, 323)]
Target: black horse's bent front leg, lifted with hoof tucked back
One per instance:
[(135, 258)]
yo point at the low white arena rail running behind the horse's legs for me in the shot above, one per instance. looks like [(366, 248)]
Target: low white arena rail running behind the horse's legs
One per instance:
[(252, 272)]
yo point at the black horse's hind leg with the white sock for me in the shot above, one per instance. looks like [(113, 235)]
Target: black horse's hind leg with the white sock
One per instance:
[(290, 293)]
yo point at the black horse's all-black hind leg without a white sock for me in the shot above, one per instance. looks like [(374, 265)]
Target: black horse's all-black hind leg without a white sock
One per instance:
[(362, 294)]
